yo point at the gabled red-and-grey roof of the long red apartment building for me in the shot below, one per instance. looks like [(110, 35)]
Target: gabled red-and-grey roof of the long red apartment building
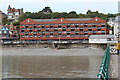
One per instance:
[(63, 20)]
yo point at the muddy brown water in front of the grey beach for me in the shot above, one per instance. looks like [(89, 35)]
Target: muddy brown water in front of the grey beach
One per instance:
[(50, 66)]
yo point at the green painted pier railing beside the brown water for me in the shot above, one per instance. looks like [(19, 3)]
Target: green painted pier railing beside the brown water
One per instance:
[(104, 68)]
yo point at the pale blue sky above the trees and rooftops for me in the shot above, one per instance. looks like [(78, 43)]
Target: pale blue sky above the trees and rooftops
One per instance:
[(80, 6)]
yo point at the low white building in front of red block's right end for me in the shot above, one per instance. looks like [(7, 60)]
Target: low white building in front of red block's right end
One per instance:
[(100, 39)]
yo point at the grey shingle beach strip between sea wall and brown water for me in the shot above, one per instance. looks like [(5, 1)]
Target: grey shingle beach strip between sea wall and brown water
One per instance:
[(80, 51)]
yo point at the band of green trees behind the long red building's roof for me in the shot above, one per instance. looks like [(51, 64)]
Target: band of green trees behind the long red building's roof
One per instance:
[(72, 14)]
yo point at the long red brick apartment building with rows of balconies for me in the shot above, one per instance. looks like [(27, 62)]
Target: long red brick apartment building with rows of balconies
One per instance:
[(61, 29)]
